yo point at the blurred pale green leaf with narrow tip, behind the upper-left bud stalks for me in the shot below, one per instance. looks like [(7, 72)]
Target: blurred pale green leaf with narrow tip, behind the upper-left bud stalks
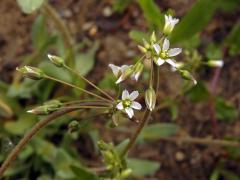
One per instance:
[(84, 62)]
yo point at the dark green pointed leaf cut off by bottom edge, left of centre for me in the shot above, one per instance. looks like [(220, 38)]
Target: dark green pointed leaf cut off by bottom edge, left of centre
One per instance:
[(82, 173)]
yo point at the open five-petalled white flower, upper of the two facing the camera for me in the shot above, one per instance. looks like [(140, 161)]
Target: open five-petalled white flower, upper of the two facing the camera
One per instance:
[(164, 54)]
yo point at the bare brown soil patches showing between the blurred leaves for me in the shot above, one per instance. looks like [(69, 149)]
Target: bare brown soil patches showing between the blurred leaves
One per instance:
[(87, 18)]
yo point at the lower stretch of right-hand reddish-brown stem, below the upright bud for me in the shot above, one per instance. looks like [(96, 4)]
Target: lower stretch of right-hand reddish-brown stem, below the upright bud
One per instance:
[(143, 122)]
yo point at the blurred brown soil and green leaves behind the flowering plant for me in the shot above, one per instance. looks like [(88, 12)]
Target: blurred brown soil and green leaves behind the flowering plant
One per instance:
[(91, 34)]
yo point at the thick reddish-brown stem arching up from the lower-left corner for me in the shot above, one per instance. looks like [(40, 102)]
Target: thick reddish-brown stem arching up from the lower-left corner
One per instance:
[(12, 156)]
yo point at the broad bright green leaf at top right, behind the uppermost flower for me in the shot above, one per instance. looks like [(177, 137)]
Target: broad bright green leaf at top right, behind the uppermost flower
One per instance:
[(194, 21)]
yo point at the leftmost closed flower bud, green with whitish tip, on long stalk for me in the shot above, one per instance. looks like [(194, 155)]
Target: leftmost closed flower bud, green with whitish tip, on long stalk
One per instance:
[(31, 72)]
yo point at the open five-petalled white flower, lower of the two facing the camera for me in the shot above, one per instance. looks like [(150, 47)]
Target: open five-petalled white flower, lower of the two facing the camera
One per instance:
[(128, 104)]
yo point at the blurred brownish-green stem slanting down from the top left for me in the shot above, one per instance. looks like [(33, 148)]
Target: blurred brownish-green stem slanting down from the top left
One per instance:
[(60, 25)]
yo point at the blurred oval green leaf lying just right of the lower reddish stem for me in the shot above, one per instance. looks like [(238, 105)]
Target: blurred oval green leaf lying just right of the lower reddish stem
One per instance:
[(158, 130)]
